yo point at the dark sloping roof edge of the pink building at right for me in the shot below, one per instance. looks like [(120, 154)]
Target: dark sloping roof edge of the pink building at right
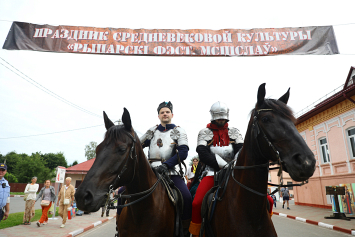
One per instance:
[(338, 95)]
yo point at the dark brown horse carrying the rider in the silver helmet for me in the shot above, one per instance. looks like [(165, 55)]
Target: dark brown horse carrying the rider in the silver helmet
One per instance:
[(243, 212)]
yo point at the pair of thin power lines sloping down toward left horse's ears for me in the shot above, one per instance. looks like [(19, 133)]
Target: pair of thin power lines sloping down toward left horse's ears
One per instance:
[(44, 89)]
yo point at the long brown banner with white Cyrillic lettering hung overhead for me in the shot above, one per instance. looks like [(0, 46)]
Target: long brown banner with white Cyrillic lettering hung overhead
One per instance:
[(161, 42)]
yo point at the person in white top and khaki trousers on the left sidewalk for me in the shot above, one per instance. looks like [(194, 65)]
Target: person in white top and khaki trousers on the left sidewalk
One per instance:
[(31, 189)]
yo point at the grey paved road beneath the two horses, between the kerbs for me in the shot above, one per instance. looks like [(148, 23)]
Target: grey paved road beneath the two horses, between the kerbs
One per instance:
[(285, 227)]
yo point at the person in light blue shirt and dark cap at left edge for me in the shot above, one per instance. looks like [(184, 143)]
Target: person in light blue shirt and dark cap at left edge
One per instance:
[(4, 193)]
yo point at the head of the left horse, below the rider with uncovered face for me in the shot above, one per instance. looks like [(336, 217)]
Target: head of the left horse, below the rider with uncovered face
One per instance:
[(113, 165)]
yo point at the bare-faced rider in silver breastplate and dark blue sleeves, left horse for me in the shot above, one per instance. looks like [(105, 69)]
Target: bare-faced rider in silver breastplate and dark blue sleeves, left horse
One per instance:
[(167, 144)]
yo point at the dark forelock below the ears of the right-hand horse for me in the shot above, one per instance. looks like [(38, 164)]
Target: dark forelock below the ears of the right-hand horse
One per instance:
[(278, 107)]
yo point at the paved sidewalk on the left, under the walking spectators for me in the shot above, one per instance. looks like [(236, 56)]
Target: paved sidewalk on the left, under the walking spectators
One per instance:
[(77, 225)]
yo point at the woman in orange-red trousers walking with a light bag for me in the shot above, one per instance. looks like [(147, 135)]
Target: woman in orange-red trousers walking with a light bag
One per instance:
[(47, 195)]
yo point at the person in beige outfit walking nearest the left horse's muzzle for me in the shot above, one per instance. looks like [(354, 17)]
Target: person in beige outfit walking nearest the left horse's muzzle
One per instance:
[(65, 200)]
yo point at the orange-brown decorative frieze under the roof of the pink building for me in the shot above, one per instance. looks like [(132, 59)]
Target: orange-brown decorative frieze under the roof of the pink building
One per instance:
[(330, 113)]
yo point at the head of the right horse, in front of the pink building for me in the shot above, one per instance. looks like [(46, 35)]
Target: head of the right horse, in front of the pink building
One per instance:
[(275, 131)]
